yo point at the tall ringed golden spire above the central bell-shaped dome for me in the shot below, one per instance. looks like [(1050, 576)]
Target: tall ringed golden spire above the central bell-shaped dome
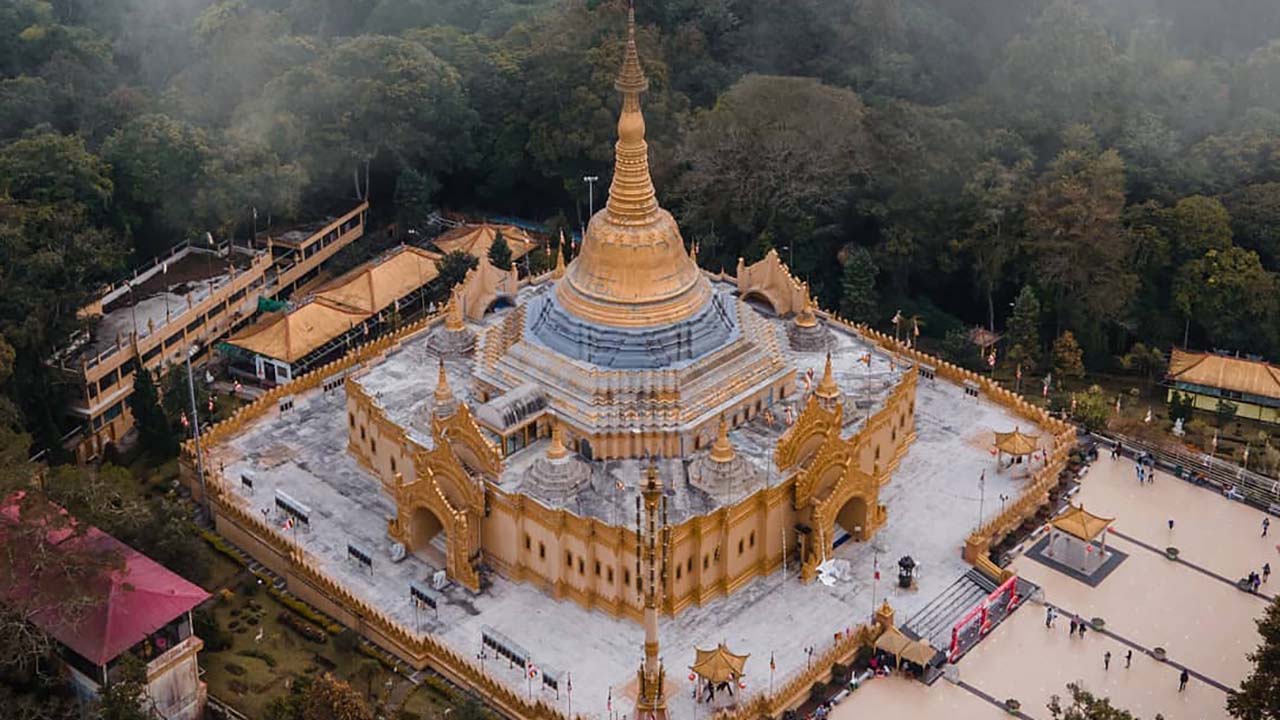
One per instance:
[(632, 195)]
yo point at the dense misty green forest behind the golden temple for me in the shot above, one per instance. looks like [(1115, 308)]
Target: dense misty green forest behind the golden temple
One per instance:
[(1114, 163)]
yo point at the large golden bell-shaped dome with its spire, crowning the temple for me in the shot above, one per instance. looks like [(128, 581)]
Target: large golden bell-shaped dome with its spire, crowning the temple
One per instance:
[(633, 270)]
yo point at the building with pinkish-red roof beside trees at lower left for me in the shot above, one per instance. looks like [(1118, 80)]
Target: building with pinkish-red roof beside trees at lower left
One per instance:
[(138, 605)]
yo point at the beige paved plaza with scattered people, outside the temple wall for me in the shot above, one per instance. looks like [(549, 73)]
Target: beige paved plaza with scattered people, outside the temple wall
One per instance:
[(1190, 608)]
